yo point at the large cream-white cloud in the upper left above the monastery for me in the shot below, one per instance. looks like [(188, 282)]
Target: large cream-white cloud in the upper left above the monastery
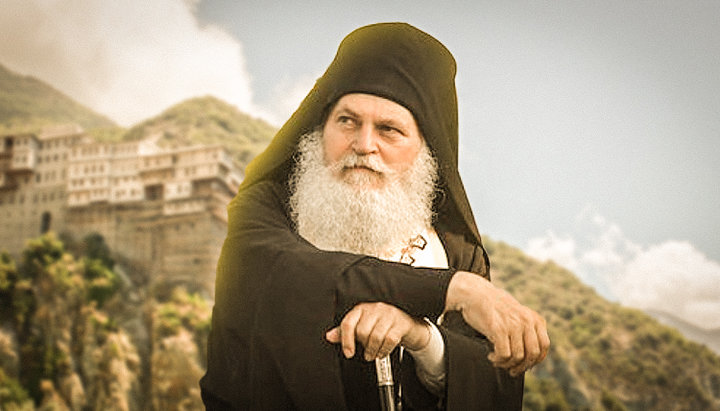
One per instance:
[(128, 60)]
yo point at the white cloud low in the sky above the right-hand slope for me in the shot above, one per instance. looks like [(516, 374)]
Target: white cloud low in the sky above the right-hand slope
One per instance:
[(672, 276)]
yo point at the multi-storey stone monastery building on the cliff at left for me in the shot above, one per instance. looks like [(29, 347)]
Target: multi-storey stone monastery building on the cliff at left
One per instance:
[(161, 211)]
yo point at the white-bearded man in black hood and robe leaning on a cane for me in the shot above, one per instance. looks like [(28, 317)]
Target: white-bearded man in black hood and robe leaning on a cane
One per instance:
[(352, 238)]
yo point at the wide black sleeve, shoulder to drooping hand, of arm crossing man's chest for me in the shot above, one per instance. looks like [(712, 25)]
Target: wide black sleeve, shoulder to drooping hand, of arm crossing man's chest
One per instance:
[(276, 297)]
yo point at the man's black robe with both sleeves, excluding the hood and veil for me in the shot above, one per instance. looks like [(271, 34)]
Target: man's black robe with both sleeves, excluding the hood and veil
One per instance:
[(277, 295)]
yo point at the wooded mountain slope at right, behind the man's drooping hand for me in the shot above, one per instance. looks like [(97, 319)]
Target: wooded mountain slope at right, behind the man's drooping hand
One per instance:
[(604, 356)]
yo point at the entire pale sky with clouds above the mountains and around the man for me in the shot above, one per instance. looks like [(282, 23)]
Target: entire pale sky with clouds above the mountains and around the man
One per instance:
[(590, 131)]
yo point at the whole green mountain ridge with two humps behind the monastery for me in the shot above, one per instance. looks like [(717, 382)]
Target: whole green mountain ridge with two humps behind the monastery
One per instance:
[(28, 105)]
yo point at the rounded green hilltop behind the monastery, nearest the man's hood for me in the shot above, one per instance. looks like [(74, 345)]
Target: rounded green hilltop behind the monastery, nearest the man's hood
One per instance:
[(207, 120)]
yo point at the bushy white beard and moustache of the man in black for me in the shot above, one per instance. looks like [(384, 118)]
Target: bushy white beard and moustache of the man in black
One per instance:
[(345, 214)]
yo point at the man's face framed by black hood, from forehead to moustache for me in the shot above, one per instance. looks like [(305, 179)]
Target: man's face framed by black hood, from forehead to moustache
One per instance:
[(382, 135)]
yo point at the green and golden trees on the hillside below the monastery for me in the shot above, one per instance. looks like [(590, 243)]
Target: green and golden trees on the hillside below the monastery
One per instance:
[(75, 334)]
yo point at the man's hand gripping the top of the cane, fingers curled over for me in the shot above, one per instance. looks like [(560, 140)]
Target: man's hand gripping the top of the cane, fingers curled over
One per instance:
[(379, 327)]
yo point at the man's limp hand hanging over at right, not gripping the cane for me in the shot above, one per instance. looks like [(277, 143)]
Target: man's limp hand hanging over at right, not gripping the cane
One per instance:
[(518, 333)]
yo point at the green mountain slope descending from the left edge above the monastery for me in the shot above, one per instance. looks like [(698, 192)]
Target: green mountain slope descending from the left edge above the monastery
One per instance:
[(28, 104)]
